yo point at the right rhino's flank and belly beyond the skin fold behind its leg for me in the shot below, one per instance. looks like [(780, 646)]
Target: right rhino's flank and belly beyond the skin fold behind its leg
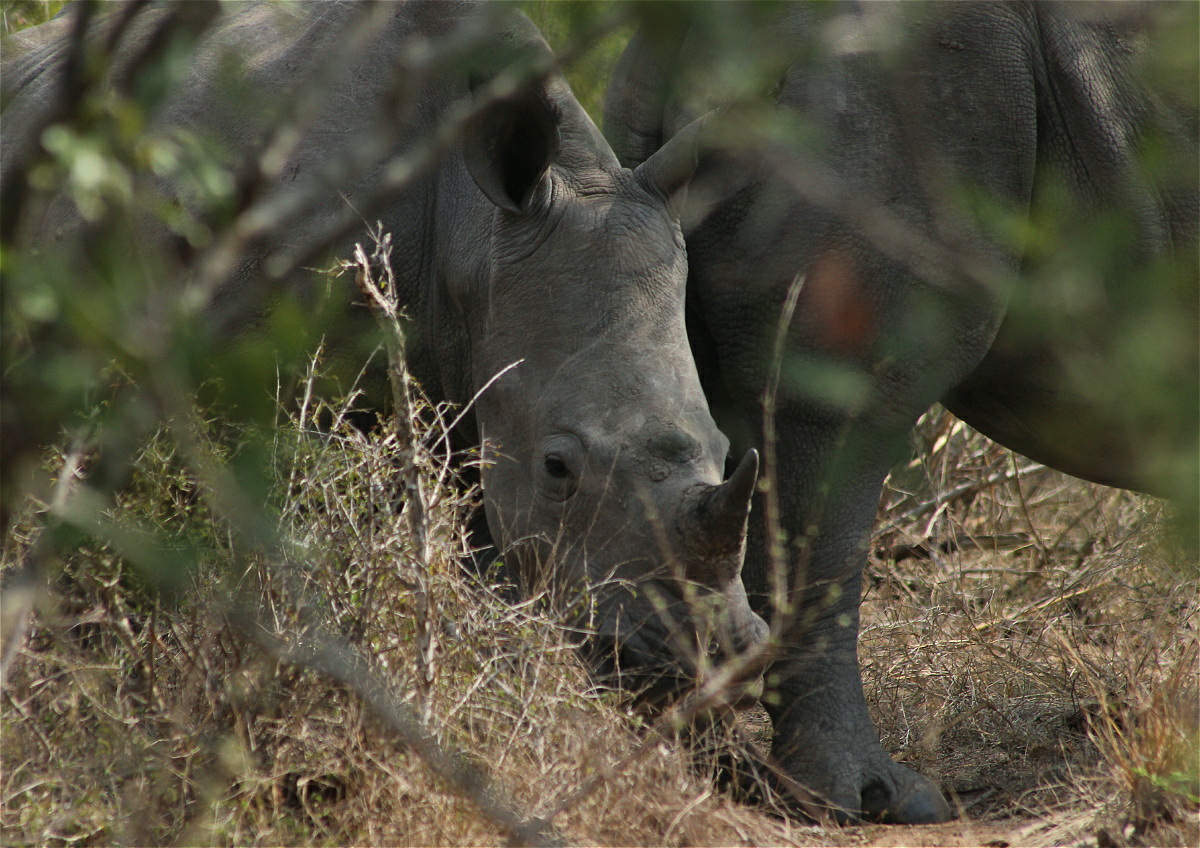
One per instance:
[(1095, 368)]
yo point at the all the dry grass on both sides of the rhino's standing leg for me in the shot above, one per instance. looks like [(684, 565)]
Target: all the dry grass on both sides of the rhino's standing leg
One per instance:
[(1051, 683)]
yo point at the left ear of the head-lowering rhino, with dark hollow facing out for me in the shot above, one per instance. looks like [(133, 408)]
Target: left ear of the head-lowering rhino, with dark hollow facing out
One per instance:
[(511, 147)]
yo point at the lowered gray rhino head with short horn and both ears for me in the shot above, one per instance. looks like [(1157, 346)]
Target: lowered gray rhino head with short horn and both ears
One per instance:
[(603, 467)]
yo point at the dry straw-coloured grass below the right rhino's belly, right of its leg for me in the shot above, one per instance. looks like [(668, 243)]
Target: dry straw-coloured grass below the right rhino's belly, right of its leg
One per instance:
[(1034, 646)]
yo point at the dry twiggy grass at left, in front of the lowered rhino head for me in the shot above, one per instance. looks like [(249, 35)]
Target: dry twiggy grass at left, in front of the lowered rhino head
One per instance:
[(140, 719)]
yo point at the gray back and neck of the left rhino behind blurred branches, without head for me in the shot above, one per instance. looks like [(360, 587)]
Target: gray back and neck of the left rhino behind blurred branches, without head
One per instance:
[(250, 74)]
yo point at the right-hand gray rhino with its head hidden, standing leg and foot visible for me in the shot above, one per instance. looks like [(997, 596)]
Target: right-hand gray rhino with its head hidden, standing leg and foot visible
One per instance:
[(1033, 107)]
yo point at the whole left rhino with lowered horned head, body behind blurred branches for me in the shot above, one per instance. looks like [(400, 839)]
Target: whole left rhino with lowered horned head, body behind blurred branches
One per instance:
[(527, 244)]
